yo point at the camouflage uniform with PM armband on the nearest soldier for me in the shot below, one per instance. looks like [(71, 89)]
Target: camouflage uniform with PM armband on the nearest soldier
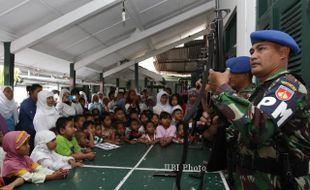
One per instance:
[(283, 109)]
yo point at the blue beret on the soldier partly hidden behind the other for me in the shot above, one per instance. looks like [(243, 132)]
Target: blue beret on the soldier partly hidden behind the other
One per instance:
[(239, 64)]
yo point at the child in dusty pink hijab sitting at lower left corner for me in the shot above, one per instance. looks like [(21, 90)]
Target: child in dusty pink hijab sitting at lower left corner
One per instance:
[(17, 163)]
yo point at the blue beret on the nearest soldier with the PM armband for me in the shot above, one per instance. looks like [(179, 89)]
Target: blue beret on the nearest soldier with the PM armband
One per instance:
[(275, 37)]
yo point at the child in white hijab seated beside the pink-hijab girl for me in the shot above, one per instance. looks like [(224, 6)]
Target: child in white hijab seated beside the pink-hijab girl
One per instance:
[(44, 154)]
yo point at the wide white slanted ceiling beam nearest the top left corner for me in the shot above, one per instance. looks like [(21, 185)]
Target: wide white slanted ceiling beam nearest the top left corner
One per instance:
[(66, 20)]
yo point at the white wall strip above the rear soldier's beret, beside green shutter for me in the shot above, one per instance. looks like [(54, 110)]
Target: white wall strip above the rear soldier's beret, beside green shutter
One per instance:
[(246, 21)]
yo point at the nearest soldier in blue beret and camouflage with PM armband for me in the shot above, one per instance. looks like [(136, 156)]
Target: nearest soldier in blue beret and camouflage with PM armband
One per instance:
[(274, 148)]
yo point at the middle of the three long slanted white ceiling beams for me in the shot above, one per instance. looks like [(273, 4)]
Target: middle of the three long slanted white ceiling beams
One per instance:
[(144, 34)]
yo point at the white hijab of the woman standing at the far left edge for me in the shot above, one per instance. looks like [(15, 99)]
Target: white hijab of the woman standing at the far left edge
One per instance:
[(8, 107)]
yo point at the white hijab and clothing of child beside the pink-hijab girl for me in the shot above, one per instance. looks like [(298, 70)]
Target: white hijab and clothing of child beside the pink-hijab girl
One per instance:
[(41, 151)]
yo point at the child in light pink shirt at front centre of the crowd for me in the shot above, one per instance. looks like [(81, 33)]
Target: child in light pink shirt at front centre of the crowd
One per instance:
[(165, 132)]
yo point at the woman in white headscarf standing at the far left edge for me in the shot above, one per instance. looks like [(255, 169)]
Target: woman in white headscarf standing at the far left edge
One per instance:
[(8, 107)]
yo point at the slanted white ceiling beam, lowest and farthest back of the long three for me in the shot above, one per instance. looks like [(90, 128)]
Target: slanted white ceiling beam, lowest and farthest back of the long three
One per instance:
[(155, 52)]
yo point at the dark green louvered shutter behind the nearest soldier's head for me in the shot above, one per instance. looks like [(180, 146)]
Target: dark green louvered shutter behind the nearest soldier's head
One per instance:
[(291, 17)]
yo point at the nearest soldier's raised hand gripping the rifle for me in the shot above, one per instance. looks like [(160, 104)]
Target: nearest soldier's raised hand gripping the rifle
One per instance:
[(216, 79)]
